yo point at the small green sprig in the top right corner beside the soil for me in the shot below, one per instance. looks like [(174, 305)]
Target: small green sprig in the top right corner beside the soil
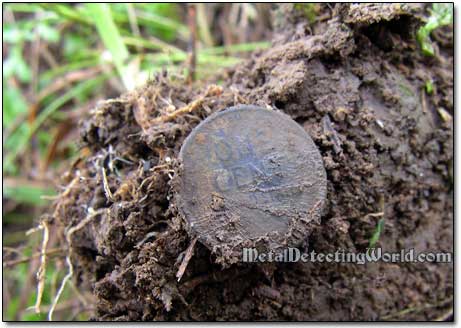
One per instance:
[(441, 14)]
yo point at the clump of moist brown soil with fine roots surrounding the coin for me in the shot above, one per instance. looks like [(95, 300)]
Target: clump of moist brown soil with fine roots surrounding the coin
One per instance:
[(355, 81)]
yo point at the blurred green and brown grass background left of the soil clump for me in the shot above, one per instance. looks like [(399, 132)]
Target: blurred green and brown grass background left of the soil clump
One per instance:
[(59, 60)]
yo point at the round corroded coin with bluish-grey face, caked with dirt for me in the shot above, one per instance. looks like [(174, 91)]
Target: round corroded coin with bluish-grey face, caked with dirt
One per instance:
[(251, 177)]
